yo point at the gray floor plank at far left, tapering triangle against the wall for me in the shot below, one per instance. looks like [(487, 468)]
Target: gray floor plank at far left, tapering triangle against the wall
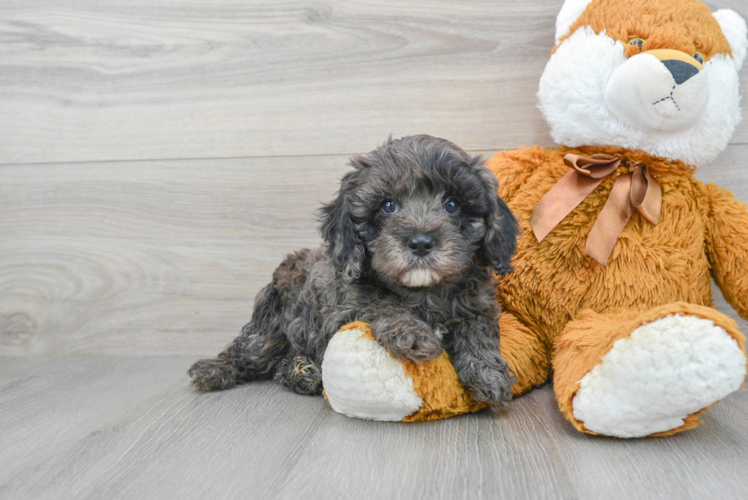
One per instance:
[(56, 401)]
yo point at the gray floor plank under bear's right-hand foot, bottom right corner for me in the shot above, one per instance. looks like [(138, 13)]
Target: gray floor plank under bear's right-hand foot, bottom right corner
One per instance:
[(706, 462)]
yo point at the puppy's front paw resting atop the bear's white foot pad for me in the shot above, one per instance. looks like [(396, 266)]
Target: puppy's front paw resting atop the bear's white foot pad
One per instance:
[(409, 339)]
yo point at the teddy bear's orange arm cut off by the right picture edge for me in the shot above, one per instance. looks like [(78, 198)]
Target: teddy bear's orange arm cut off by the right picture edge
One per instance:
[(727, 246)]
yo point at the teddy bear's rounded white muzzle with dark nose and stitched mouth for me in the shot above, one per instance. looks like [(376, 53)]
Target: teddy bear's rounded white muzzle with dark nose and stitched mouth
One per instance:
[(659, 91)]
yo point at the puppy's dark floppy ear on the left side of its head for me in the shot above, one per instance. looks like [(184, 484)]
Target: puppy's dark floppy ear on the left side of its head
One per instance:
[(346, 249)]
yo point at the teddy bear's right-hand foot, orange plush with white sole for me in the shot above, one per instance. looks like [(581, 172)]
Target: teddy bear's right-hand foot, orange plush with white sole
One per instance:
[(645, 373)]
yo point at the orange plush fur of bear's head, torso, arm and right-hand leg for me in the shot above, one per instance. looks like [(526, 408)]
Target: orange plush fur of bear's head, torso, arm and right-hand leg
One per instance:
[(579, 309)]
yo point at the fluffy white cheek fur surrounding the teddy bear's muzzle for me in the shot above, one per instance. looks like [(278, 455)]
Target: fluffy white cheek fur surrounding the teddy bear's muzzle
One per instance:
[(572, 96)]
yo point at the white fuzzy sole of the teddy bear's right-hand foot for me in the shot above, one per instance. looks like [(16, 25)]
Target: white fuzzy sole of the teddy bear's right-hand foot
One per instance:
[(665, 371)]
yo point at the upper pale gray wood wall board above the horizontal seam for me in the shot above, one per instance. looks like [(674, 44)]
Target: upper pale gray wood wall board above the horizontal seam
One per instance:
[(84, 80)]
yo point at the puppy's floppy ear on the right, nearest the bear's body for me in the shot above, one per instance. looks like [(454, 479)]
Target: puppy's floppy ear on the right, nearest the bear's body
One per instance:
[(500, 241)]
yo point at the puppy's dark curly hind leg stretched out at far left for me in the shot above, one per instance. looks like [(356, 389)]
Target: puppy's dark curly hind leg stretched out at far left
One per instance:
[(253, 355)]
